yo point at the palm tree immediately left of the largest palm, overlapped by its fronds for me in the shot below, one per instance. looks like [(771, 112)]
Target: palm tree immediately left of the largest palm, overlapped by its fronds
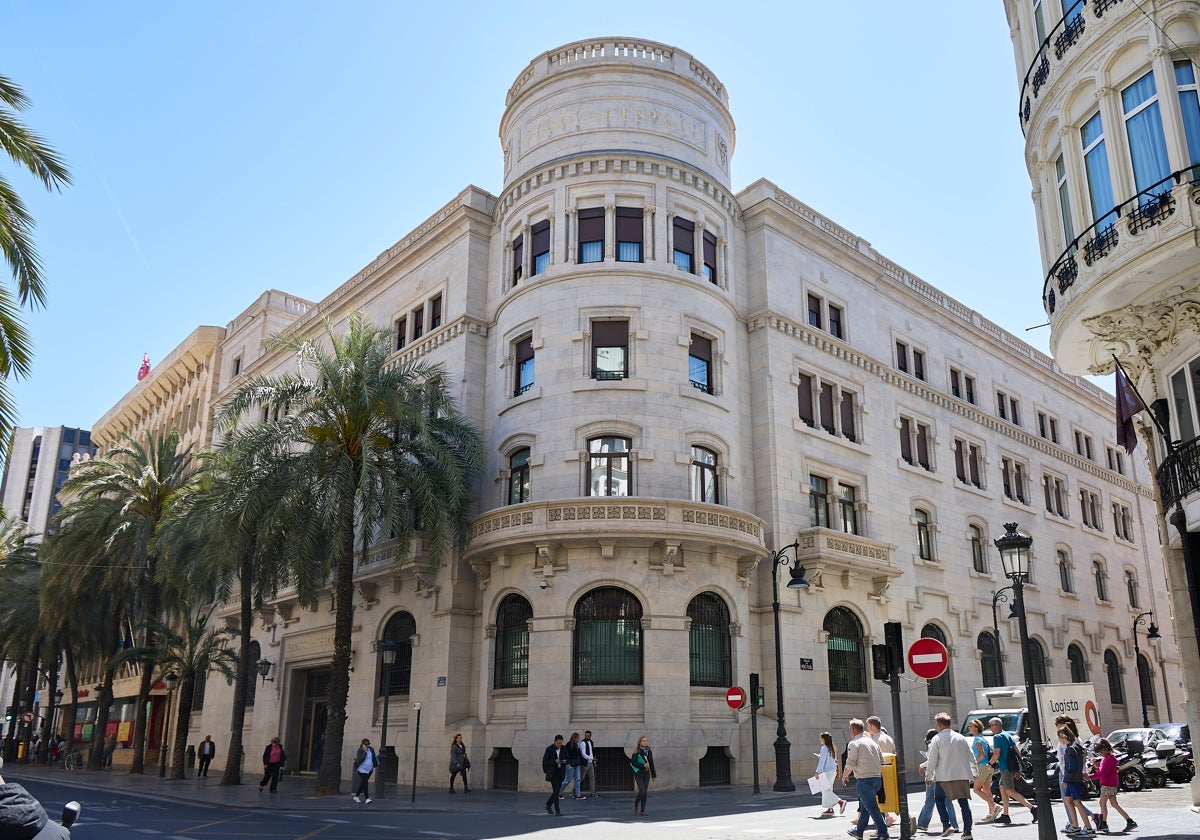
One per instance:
[(226, 531)]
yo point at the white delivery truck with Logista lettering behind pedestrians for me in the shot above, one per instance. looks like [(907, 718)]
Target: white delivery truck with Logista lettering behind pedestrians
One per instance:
[(1010, 704)]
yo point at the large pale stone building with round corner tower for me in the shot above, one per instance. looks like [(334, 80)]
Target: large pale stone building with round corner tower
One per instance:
[(674, 382)]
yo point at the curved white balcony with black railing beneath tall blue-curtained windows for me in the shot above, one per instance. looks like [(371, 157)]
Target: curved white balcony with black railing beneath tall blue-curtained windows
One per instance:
[(1144, 243)]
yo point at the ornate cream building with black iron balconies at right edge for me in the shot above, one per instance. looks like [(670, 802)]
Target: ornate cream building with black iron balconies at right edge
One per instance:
[(1112, 121)]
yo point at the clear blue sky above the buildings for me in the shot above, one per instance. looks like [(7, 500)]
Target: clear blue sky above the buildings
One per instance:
[(223, 148)]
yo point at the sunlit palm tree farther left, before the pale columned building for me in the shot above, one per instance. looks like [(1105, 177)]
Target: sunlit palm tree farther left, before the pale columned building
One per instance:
[(111, 526)]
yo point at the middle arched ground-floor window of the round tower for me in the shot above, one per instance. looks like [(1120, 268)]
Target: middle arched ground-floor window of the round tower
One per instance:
[(609, 639)]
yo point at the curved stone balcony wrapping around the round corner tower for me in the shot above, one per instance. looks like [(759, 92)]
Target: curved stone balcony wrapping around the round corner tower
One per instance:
[(670, 532)]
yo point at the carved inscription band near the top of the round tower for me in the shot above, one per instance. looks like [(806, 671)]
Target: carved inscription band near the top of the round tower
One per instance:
[(622, 115)]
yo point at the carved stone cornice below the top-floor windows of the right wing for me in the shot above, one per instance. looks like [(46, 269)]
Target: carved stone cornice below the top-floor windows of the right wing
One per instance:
[(844, 352)]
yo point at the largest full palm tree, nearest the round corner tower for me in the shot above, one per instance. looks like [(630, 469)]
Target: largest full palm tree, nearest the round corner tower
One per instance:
[(364, 448)]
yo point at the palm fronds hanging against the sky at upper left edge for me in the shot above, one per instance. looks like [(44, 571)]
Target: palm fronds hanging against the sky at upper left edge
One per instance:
[(31, 153)]
